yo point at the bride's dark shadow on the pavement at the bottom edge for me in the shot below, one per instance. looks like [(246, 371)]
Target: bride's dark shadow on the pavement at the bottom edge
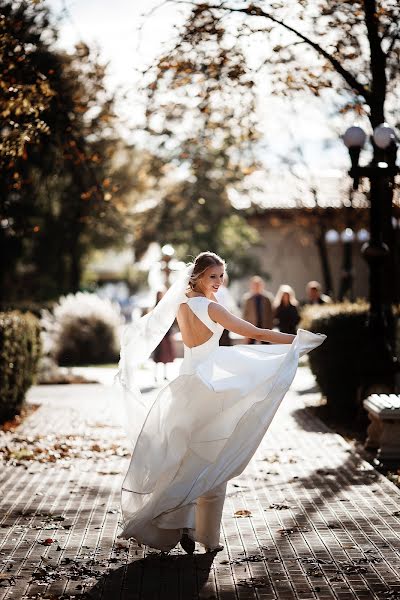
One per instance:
[(156, 576)]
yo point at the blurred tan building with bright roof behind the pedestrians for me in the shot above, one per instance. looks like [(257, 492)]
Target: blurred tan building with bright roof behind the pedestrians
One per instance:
[(314, 231)]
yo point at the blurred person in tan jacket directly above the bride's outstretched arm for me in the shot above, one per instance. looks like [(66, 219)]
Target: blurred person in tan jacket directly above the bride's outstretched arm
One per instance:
[(257, 307)]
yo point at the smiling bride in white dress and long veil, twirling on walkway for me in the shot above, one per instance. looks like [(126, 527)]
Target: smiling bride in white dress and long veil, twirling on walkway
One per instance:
[(202, 428)]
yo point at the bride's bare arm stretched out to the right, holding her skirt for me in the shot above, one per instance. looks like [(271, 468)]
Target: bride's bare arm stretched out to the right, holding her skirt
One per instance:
[(229, 321)]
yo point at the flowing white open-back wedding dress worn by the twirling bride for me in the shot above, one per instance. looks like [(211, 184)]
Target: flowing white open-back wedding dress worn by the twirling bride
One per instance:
[(202, 430)]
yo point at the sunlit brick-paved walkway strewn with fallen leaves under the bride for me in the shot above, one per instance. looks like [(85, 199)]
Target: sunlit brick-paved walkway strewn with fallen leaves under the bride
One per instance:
[(308, 518)]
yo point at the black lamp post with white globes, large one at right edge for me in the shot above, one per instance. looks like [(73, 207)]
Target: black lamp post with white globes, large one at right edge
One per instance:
[(381, 172)]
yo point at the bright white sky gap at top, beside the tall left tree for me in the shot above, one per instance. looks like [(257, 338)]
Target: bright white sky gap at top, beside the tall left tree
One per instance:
[(128, 34)]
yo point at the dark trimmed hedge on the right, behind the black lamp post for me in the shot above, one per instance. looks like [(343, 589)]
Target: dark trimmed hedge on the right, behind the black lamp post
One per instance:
[(340, 365)]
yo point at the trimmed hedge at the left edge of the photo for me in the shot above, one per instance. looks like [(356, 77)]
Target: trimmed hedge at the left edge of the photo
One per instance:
[(20, 350)]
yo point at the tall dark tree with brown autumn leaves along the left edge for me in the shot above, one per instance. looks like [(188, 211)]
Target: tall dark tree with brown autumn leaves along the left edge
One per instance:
[(59, 196)]
